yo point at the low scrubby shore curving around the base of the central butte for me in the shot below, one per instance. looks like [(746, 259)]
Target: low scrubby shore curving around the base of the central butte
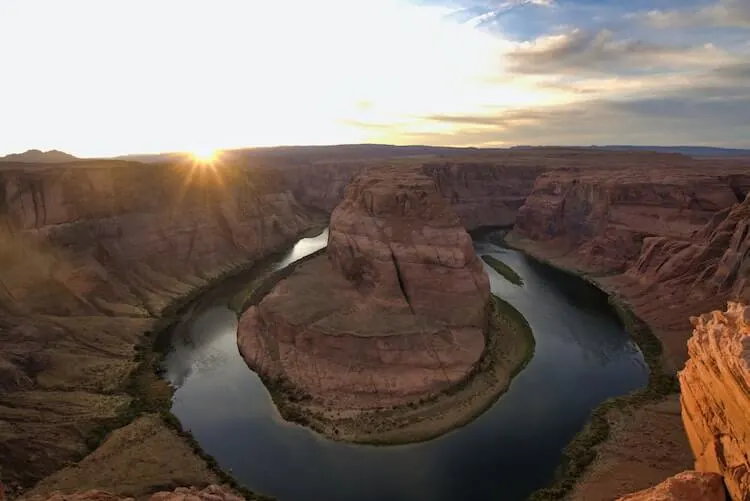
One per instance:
[(509, 345)]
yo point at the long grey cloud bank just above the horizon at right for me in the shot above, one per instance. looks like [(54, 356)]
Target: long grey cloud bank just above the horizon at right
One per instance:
[(651, 121)]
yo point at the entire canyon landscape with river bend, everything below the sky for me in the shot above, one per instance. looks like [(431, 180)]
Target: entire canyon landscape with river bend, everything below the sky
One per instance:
[(397, 332)]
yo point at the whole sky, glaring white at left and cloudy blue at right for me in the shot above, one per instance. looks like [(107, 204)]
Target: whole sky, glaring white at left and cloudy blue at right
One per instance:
[(110, 77)]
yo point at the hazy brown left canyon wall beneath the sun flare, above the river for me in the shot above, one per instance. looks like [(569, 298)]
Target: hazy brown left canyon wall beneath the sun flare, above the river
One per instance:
[(90, 255)]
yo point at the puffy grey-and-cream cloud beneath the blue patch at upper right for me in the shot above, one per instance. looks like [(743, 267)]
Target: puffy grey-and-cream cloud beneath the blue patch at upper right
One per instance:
[(581, 51)]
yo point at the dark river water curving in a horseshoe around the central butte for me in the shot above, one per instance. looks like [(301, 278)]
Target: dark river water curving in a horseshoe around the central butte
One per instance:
[(583, 356)]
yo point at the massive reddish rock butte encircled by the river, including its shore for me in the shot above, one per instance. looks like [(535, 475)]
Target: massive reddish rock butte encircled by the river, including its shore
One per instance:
[(373, 341)]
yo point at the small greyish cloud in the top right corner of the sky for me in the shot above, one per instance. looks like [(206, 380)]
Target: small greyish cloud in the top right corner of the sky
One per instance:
[(723, 13)]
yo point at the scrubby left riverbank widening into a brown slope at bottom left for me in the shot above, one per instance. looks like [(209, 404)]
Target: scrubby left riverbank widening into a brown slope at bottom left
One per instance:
[(145, 448)]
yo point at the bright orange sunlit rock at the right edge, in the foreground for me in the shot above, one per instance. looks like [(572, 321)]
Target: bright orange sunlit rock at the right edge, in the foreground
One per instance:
[(716, 396)]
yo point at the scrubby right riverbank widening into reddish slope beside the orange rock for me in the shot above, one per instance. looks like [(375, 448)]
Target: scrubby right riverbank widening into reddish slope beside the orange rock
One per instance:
[(610, 457)]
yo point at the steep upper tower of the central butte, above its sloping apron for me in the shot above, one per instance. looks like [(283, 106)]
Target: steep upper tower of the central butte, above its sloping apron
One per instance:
[(397, 240)]
